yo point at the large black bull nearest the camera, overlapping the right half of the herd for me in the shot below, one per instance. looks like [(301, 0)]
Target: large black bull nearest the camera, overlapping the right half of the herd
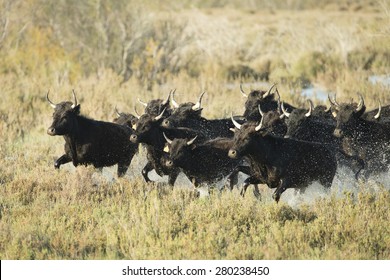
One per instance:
[(282, 163)]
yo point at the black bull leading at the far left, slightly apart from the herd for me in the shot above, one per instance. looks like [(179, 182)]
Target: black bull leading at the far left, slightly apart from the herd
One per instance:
[(89, 141)]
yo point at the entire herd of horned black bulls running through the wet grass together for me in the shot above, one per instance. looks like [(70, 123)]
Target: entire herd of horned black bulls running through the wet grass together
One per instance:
[(272, 142)]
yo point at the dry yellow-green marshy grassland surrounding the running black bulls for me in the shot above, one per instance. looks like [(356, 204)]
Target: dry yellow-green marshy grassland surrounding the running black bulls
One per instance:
[(114, 52)]
